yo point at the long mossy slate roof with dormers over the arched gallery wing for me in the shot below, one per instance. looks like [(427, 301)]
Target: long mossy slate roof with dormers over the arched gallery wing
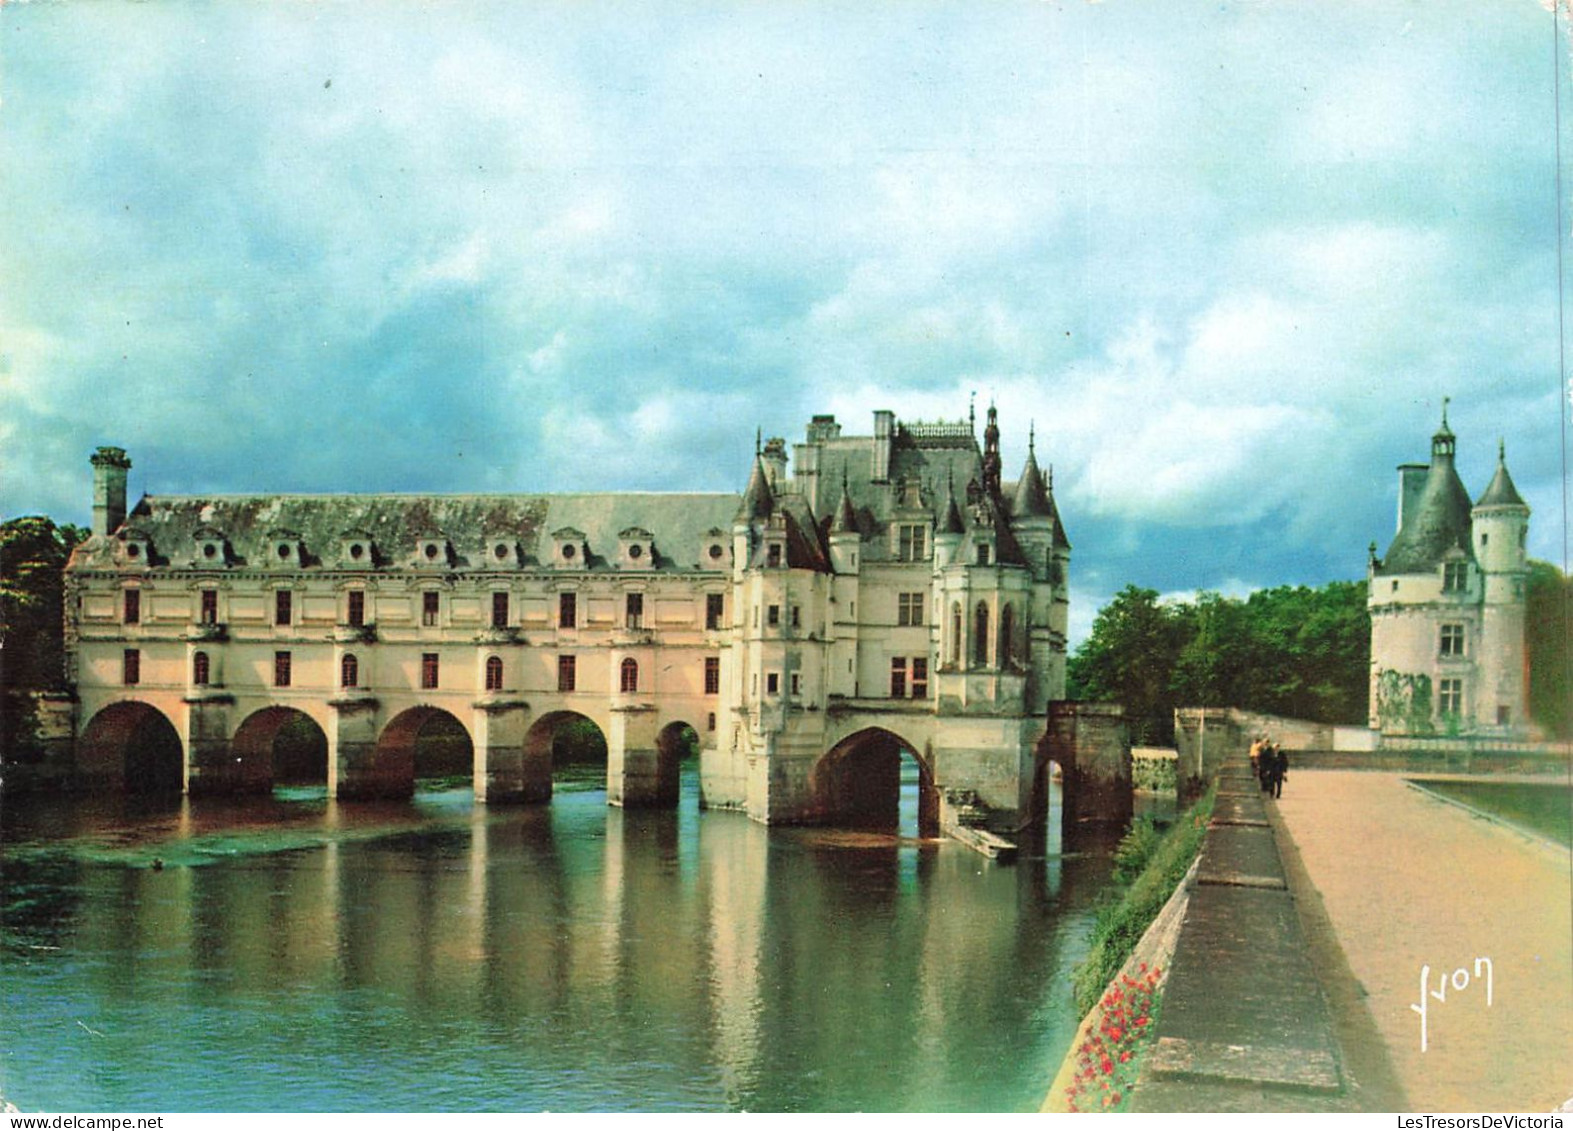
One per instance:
[(679, 523)]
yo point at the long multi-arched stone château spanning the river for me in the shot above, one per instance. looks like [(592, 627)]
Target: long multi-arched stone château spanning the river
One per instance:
[(890, 595)]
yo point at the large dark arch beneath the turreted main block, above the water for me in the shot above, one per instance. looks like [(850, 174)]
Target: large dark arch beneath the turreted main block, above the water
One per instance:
[(858, 784)]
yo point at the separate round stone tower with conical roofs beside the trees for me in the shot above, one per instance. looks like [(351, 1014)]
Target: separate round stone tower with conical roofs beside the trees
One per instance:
[(1448, 605)]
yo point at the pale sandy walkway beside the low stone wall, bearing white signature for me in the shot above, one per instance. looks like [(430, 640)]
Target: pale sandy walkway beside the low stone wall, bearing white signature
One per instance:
[(1409, 882)]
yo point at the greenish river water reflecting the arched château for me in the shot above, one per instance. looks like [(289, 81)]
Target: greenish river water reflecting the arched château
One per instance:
[(295, 954)]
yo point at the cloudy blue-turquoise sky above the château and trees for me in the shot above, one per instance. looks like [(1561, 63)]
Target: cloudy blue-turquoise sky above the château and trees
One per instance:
[(1225, 259)]
